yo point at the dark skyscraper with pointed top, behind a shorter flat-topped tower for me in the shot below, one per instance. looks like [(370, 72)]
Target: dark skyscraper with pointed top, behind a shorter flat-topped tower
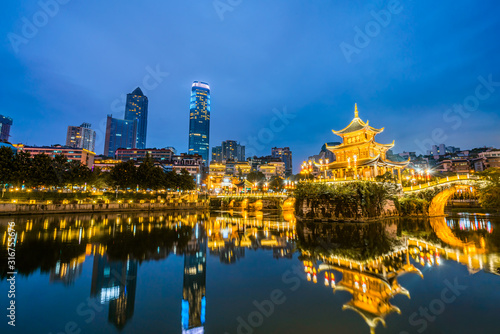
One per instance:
[(137, 108)]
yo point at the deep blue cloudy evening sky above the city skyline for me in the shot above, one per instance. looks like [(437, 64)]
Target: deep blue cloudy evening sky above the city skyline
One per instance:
[(416, 74)]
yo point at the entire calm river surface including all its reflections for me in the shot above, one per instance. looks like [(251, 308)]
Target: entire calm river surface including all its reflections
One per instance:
[(248, 273)]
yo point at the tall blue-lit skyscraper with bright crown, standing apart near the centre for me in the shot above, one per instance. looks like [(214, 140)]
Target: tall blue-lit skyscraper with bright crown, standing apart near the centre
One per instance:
[(199, 120)]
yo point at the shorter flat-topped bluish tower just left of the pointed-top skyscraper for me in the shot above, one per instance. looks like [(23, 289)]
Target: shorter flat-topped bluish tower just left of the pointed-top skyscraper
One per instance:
[(120, 133)]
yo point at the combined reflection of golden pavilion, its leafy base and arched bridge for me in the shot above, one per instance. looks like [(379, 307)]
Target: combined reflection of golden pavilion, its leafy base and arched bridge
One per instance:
[(366, 260)]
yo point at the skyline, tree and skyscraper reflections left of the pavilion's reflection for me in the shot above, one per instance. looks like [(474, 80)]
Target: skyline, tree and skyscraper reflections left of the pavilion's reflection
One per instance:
[(116, 244)]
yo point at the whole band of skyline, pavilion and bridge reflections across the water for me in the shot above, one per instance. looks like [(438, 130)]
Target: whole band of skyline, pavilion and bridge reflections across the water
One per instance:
[(365, 260)]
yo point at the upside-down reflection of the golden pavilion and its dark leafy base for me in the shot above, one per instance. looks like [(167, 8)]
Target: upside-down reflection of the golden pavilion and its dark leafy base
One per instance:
[(362, 259)]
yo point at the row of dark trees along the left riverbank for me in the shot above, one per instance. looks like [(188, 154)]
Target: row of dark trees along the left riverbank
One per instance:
[(37, 171)]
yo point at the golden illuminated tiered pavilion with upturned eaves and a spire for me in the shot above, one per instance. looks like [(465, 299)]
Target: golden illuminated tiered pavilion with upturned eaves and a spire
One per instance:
[(359, 156)]
